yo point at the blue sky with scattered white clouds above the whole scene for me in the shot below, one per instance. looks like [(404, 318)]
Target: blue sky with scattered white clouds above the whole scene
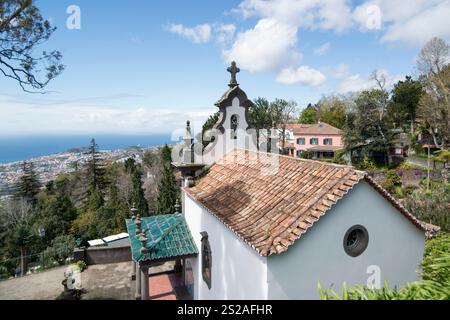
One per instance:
[(147, 66)]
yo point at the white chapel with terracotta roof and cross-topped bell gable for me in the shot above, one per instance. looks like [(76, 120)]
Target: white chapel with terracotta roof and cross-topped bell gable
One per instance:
[(272, 227)]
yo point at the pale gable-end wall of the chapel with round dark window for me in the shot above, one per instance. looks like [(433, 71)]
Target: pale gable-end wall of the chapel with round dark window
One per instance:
[(395, 245)]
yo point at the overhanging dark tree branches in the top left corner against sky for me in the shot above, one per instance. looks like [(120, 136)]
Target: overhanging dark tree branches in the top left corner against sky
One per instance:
[(22, 30)]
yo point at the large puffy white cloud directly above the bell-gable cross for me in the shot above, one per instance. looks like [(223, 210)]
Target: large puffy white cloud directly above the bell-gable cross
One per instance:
[(265, 47)]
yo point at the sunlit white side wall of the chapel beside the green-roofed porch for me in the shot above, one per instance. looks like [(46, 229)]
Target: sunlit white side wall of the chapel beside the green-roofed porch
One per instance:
[(238, 272)]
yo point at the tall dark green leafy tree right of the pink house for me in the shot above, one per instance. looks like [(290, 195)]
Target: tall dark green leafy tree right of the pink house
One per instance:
[(405, 101)]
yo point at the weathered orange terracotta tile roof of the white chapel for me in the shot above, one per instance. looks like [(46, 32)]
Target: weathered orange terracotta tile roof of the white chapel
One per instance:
[(270, 211)]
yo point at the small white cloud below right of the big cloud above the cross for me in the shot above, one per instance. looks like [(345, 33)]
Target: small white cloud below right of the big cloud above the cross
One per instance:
[(303, 75)]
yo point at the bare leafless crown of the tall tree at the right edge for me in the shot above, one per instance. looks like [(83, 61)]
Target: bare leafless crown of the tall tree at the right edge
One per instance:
[(433, 57)]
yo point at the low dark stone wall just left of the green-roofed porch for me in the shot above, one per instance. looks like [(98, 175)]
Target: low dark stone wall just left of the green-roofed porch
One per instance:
[(103, 255)]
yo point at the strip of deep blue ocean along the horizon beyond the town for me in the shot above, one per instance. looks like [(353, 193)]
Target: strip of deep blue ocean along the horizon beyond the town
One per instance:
[(22, 148)]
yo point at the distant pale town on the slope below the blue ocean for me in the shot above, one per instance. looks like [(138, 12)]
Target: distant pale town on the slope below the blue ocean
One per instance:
[(50, 166)]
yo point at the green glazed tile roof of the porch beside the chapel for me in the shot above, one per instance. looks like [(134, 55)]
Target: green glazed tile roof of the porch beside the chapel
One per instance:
[(168, 237)]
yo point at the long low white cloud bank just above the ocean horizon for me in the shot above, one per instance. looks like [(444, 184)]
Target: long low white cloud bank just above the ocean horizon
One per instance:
[(76, 117)]
